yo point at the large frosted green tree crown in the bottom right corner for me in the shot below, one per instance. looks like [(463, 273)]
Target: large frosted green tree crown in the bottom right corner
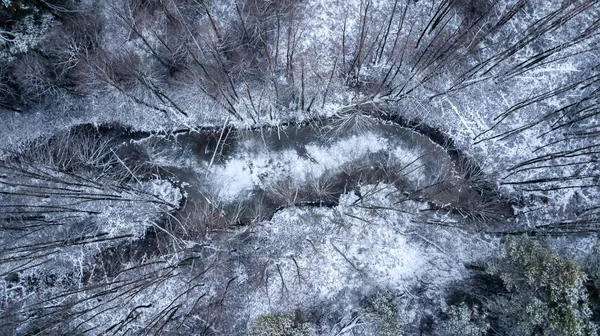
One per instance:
[(546, 292)]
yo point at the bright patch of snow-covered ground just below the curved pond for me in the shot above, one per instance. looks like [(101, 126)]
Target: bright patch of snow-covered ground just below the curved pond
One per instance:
[(351, 247)]
